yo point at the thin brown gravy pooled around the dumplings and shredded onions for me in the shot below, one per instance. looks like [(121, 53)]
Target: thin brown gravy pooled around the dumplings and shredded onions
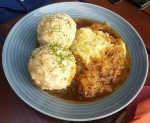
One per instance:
[(72, 93)]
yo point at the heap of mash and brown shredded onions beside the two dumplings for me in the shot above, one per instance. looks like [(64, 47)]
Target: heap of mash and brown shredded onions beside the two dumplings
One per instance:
[(100, 60)]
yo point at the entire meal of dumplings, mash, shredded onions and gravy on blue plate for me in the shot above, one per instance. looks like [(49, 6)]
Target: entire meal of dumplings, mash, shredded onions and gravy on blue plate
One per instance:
[(78, 59)]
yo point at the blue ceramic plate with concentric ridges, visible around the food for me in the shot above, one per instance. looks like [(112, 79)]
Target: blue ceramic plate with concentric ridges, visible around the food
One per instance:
[(22, 40)]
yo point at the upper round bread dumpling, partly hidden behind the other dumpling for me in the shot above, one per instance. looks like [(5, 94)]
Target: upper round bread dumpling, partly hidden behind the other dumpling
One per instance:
[(56, 28)]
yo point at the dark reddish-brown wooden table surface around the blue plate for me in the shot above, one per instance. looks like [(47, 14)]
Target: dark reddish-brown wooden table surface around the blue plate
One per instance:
[(14, 110)]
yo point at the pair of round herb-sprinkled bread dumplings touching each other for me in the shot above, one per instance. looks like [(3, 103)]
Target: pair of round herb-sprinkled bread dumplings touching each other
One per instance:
[(52, 66)]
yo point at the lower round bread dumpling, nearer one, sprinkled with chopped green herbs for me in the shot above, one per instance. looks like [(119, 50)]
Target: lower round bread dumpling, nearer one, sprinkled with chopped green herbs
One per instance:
[(52, 67)]
